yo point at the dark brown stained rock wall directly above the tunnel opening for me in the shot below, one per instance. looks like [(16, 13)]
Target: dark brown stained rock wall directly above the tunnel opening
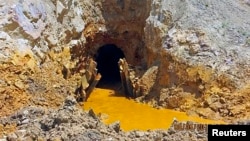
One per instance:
[(122, 24)]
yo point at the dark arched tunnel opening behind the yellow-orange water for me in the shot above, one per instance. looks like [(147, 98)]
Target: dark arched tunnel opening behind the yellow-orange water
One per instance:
[(107, 58)]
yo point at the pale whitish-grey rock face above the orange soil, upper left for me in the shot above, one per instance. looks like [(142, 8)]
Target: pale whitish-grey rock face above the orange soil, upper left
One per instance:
[(38, 26)]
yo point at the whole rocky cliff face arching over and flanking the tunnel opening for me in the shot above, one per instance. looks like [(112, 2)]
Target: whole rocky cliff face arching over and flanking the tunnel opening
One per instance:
[(197, 52)]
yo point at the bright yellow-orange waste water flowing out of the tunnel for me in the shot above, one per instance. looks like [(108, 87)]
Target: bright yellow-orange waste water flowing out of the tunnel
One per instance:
[(133, 115)]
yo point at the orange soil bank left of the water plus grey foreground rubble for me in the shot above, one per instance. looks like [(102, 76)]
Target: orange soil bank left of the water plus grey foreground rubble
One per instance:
[(40, 104)]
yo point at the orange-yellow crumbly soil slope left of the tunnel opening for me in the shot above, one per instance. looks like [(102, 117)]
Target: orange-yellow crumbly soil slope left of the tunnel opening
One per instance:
[(22, 85)]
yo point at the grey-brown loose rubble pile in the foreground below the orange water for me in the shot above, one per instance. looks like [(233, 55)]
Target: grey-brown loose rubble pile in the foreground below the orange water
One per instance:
[(69, 122)]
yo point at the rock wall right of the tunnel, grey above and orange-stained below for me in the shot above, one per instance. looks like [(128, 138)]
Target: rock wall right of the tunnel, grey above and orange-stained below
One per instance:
[(202, 50)]
